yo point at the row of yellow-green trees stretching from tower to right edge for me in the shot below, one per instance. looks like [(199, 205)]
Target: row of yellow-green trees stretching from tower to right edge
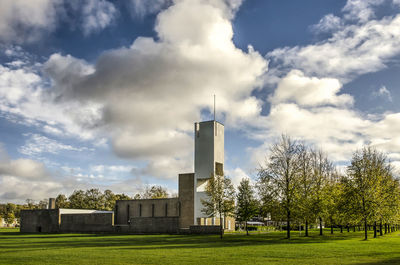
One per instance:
[(299, 185)]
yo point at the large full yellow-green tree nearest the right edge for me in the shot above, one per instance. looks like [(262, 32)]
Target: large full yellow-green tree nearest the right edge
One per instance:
[(365, 184)]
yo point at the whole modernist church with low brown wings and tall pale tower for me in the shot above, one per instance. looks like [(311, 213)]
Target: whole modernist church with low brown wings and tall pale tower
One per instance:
[(170, 215)]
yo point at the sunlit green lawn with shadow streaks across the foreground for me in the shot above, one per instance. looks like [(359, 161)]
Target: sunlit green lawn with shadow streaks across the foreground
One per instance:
[(270, 248)]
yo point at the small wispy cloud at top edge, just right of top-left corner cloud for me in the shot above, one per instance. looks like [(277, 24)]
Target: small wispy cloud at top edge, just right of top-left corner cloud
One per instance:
[(97, 15)]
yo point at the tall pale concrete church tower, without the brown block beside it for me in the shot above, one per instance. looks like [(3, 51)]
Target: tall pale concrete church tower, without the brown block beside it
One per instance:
[(208, 159)]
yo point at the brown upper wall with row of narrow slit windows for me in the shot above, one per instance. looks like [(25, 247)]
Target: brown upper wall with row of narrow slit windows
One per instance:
[(127, 209)]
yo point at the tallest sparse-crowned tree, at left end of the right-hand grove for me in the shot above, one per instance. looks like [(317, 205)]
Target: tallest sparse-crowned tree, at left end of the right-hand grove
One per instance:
[(280, 175)]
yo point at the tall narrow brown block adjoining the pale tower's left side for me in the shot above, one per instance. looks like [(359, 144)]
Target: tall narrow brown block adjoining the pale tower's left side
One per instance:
[(186, 198)]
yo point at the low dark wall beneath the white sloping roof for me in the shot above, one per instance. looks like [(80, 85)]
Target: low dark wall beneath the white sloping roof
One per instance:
[(98, 222)]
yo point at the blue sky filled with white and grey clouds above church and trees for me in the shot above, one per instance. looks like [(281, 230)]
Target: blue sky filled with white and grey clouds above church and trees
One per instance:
[(104, 94)]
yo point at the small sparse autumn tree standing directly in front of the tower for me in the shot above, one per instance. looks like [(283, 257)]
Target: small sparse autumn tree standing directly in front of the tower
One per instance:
[(220, 200)]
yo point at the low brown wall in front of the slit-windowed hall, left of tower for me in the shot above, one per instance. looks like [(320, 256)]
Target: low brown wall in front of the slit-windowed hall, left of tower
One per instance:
[(145, 225)]
